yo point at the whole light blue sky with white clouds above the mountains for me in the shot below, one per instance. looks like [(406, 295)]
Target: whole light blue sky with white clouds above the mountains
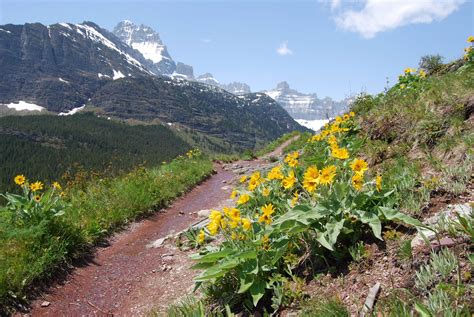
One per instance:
[(331, 47)]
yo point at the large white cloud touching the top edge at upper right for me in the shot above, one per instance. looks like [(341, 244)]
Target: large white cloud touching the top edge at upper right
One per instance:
[(382, 15)]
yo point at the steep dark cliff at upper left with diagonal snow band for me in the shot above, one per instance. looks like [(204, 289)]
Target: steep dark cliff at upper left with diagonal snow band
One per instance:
[(60, 66)]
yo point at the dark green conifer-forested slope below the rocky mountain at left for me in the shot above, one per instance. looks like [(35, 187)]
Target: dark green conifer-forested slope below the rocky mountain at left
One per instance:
[(47, 147)]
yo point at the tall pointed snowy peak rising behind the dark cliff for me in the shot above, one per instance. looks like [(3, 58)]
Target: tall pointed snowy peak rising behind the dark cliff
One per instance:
[(148, 42)]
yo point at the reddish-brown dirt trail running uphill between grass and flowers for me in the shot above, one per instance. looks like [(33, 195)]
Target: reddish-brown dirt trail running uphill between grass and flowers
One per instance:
[(138, 271)]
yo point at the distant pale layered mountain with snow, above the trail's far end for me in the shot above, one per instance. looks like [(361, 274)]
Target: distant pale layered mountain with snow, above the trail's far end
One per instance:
[(306, 106)]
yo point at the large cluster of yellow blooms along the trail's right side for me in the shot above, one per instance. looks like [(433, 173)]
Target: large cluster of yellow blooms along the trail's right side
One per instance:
[(283, 180)]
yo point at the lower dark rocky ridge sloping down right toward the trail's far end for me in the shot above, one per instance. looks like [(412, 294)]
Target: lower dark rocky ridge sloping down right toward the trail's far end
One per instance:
[(243, 123)]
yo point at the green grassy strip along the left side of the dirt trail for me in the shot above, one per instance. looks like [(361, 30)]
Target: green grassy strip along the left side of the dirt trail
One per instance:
[(31, 254)]
